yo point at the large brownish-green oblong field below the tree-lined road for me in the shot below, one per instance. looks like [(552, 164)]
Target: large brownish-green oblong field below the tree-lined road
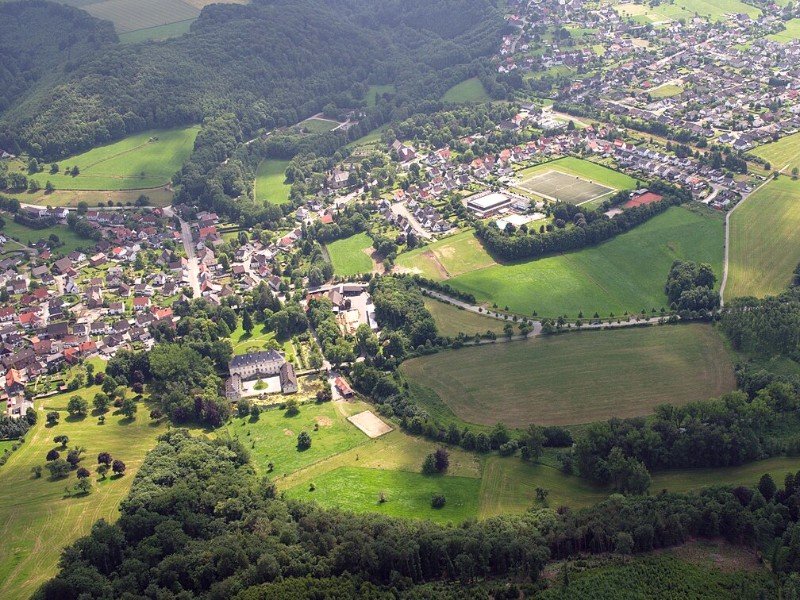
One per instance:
[(578, 377)]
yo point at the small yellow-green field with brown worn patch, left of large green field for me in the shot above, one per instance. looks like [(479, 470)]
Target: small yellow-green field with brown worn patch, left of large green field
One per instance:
[(448, 257)]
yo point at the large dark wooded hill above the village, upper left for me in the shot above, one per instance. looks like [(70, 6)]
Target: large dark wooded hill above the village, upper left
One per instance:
[(271, 63)]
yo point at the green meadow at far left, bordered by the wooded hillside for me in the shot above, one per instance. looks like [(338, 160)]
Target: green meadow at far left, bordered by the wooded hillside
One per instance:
[(144, 160)]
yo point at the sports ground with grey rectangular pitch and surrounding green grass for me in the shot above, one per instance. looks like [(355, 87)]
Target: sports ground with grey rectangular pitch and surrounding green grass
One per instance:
[(585, 182)]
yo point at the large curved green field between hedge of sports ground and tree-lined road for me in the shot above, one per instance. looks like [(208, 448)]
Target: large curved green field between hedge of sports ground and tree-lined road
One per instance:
[(626, 273)]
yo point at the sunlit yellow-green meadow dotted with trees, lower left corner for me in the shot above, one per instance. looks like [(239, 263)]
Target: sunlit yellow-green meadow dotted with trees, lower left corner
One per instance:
[(36, 519)]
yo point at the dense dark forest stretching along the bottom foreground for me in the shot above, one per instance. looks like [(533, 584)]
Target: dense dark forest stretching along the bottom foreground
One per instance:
[(199, 523)]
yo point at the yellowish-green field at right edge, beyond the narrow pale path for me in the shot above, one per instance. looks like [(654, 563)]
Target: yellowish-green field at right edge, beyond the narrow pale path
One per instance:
[(765, 241)]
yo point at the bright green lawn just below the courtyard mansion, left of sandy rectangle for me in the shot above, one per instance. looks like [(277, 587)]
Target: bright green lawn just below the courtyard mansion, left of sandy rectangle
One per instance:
[(275, 436)]
